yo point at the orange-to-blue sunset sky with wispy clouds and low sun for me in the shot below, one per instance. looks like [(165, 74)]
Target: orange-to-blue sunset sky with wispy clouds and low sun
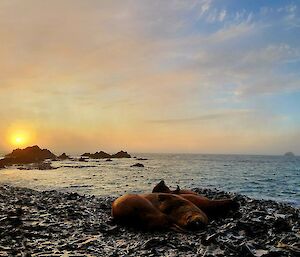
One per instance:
[(150, 76)]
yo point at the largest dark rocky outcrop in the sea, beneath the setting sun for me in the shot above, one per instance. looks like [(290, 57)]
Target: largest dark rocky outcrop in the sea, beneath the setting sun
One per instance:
[(31, 154)]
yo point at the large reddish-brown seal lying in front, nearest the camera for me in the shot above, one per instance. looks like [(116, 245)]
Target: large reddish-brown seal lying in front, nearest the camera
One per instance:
[(158, 211)]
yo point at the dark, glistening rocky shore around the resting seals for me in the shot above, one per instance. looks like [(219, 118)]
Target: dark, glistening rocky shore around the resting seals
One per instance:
[(52, 223)]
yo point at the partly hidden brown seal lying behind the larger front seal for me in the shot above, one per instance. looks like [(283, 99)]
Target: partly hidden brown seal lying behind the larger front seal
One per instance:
[(209, 207)]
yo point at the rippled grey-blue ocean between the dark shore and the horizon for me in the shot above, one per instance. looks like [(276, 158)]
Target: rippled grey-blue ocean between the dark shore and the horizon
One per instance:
[(261, 177)]
